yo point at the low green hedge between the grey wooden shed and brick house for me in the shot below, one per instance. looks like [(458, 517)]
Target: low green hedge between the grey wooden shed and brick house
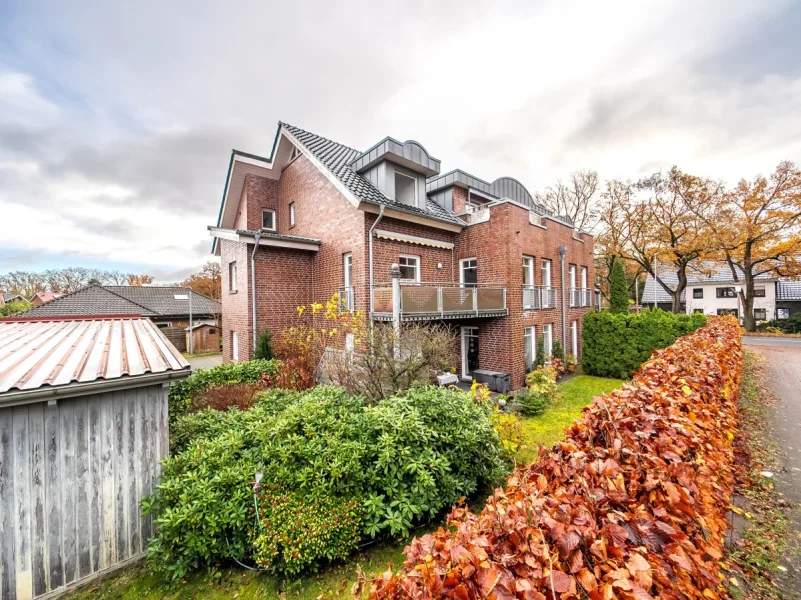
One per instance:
[(182, 393)]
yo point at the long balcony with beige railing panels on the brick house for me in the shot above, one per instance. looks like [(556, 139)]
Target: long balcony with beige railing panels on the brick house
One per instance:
[(427, 301)]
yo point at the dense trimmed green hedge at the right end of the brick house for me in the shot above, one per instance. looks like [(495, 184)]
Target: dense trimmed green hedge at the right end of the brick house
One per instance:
[(615, 345)]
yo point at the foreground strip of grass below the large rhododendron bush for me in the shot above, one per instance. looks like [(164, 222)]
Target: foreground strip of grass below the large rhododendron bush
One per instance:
[(139, 583)]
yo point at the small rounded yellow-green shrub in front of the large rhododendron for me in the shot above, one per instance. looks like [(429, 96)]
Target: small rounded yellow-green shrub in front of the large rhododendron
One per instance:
[(296, 534)]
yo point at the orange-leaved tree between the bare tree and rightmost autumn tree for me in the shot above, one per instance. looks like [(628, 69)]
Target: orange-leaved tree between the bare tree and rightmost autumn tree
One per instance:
[(656, 224)]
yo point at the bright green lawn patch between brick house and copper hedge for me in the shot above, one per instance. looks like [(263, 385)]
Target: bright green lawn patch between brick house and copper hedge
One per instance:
[(572, 396)]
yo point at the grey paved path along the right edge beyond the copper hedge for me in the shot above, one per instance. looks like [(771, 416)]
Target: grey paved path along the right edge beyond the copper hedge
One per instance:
[(784, 367)]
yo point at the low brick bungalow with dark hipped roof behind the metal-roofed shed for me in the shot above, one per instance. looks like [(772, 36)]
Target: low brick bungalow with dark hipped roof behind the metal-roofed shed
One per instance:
[(158, 303)]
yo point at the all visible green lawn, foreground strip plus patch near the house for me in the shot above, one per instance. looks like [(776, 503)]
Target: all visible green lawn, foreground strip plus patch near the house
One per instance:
[(138, 583)]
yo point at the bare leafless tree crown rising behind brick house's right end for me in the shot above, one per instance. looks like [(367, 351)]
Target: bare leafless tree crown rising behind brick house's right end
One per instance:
[(577, 199)]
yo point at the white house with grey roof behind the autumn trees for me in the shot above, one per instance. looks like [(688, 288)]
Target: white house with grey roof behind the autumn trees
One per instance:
[(711, 289)]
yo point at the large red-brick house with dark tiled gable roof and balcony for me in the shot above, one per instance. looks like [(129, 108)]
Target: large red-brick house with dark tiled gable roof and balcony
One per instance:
[(318, 217)]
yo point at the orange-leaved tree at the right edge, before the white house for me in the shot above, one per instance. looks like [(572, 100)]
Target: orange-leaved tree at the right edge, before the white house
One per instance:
[(757, 228)]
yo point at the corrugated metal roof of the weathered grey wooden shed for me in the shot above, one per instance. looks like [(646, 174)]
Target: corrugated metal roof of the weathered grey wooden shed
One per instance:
[(62, 352)]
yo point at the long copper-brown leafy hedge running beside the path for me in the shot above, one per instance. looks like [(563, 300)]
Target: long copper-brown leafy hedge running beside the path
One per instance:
[(631, 505)]
